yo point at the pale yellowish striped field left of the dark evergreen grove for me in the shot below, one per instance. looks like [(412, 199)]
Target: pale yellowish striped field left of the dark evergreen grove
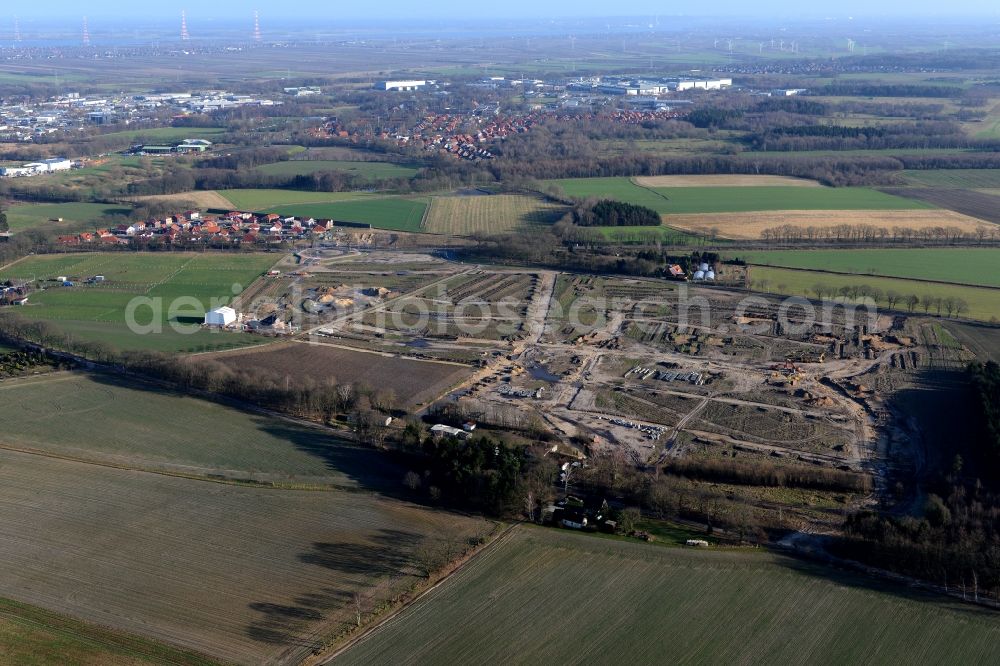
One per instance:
[(489, 214)]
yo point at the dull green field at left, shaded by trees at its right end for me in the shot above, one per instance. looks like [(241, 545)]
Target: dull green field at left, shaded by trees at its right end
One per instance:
[(153, 428)]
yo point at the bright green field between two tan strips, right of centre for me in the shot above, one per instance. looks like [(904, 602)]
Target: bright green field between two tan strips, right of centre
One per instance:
[(667, 200)]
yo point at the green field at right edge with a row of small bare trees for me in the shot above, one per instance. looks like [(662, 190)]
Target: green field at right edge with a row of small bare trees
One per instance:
[(983, 303)]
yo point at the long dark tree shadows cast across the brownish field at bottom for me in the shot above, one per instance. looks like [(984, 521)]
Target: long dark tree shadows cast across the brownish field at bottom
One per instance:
[(385, 554)]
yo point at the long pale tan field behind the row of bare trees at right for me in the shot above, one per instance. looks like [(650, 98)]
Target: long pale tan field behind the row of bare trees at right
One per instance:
[(750, 226)]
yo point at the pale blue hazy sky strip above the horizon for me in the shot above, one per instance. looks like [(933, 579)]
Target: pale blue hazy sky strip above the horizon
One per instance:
[(466, 10)]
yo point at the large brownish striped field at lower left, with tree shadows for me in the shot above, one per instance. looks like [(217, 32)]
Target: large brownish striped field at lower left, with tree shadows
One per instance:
[(248, 575)]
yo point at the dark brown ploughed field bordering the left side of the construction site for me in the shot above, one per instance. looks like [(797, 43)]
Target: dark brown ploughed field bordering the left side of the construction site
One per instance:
[(414, 382)]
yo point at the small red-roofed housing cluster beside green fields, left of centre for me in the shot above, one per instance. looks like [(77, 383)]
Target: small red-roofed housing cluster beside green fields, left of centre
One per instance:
[(192, 227)]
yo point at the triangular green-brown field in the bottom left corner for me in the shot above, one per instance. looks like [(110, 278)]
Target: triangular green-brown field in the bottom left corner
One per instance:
[(31, 635)]
